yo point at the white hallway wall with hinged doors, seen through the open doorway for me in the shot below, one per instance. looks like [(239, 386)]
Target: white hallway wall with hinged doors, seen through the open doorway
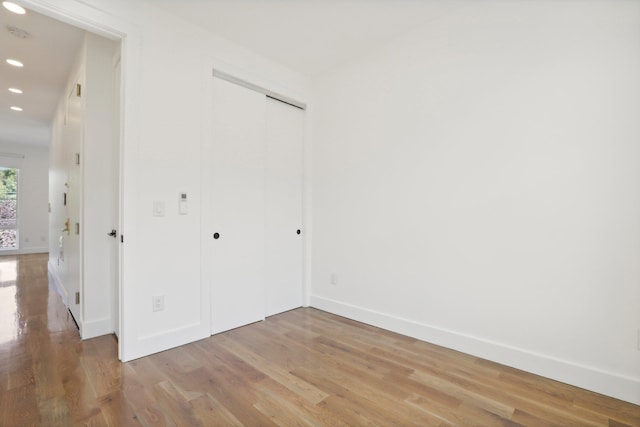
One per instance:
[(94, 139)]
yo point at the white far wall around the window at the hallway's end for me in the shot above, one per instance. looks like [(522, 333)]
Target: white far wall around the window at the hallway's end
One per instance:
[(32, 200)]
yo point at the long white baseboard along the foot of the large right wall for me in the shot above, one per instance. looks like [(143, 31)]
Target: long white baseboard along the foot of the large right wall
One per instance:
[(611, 384)]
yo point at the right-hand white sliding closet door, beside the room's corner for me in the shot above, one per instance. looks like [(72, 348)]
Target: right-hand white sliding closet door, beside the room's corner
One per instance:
[(283, 211)]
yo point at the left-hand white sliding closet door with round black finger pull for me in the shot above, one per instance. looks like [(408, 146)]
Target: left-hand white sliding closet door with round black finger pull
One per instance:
[(236, 224)]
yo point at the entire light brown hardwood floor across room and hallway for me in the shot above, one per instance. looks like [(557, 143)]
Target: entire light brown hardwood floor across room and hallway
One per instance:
[(301, 368)]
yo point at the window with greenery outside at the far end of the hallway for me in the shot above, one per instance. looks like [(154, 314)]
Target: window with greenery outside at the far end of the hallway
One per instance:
[(8, 208)]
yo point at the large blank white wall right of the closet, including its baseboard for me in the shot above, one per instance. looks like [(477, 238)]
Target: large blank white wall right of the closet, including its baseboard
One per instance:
[(476, 184)]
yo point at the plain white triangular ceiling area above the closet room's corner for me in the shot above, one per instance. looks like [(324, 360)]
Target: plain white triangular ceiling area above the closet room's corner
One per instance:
[(309, 36)]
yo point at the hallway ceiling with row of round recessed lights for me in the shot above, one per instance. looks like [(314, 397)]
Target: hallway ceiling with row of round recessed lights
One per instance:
[(47, 54)]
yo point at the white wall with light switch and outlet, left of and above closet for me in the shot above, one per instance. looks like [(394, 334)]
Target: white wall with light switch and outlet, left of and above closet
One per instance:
[(176, 67)]
